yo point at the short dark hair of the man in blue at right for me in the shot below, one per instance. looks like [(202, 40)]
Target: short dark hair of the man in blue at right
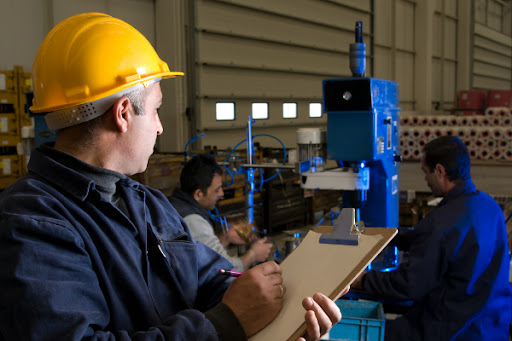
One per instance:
[(450, 152)]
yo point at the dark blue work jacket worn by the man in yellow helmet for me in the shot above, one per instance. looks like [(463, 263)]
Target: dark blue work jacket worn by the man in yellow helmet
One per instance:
[(74, 267)]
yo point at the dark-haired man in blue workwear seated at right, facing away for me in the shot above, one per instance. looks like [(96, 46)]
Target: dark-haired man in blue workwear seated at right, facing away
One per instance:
[(457, 269)]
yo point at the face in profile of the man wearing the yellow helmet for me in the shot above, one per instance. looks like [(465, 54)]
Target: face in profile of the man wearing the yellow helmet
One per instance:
[(145, 129)]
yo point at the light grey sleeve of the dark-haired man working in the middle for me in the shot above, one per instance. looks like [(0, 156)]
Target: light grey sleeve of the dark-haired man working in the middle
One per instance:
[(202, 231)]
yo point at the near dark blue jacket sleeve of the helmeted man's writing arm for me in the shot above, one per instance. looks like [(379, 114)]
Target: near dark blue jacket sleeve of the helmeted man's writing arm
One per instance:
[(50, 290)]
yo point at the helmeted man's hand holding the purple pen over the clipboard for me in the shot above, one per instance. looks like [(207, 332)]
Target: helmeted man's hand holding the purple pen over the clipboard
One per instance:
[(256, 296)]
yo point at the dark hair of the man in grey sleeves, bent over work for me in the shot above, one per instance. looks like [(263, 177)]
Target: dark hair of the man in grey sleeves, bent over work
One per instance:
[(198, 173)]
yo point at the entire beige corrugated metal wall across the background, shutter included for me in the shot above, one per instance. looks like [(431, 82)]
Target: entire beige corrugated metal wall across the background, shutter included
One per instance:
[(246, 51)]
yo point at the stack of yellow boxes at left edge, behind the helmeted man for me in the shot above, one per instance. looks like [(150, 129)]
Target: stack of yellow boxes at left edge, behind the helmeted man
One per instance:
[(13, 117)]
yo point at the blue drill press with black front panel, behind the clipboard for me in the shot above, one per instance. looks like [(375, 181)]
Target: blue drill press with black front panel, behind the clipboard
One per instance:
[(363, 127)]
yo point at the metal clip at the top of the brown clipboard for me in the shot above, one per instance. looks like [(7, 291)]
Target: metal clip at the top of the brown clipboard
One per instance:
[(345, 231)]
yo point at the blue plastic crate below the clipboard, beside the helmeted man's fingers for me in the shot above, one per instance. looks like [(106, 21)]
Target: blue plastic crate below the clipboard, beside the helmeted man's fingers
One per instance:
[(361, 321)]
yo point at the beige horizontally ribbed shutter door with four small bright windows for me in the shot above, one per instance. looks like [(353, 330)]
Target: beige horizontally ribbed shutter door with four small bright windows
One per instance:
[(273, 52)]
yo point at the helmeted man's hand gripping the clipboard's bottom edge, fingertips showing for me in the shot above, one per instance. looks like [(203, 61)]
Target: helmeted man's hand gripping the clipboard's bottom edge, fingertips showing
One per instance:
[(322, 313)]
